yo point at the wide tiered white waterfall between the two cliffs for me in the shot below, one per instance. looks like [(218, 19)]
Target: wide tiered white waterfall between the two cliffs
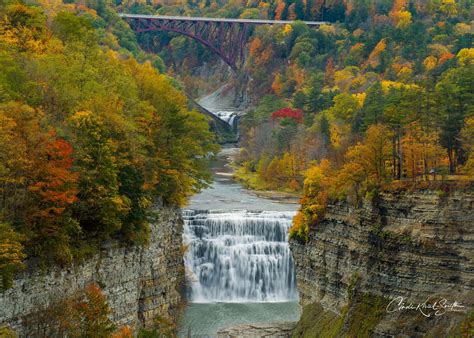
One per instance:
[(239, 256)]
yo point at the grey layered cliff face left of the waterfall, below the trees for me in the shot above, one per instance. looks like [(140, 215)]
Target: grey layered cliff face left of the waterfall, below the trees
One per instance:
[(141, 283)]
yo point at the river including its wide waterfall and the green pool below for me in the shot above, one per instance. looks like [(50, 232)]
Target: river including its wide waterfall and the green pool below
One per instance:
[(238, 264)]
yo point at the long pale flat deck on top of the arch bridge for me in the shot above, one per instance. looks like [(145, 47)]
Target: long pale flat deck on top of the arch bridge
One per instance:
[(249, 21)]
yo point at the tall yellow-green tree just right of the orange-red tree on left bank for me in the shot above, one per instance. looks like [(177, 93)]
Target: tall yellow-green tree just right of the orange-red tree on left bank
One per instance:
[(100, 204)]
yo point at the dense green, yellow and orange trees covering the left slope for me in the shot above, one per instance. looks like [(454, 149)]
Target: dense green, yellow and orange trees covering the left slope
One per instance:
[(89, 136)]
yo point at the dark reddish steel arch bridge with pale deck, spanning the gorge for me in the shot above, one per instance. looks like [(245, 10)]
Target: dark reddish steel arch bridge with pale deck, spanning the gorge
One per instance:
[(225, 37)]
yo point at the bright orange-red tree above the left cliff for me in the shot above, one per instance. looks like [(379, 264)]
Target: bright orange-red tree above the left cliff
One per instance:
[(54, 189)]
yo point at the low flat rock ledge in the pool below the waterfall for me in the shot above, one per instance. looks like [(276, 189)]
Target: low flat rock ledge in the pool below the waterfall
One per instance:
[(274, 330)]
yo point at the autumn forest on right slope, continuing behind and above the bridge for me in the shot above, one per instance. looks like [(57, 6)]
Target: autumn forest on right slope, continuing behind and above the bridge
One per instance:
[(385, 92)]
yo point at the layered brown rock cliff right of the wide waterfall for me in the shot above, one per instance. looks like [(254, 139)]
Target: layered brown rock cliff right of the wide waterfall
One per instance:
[(415, 245)]
